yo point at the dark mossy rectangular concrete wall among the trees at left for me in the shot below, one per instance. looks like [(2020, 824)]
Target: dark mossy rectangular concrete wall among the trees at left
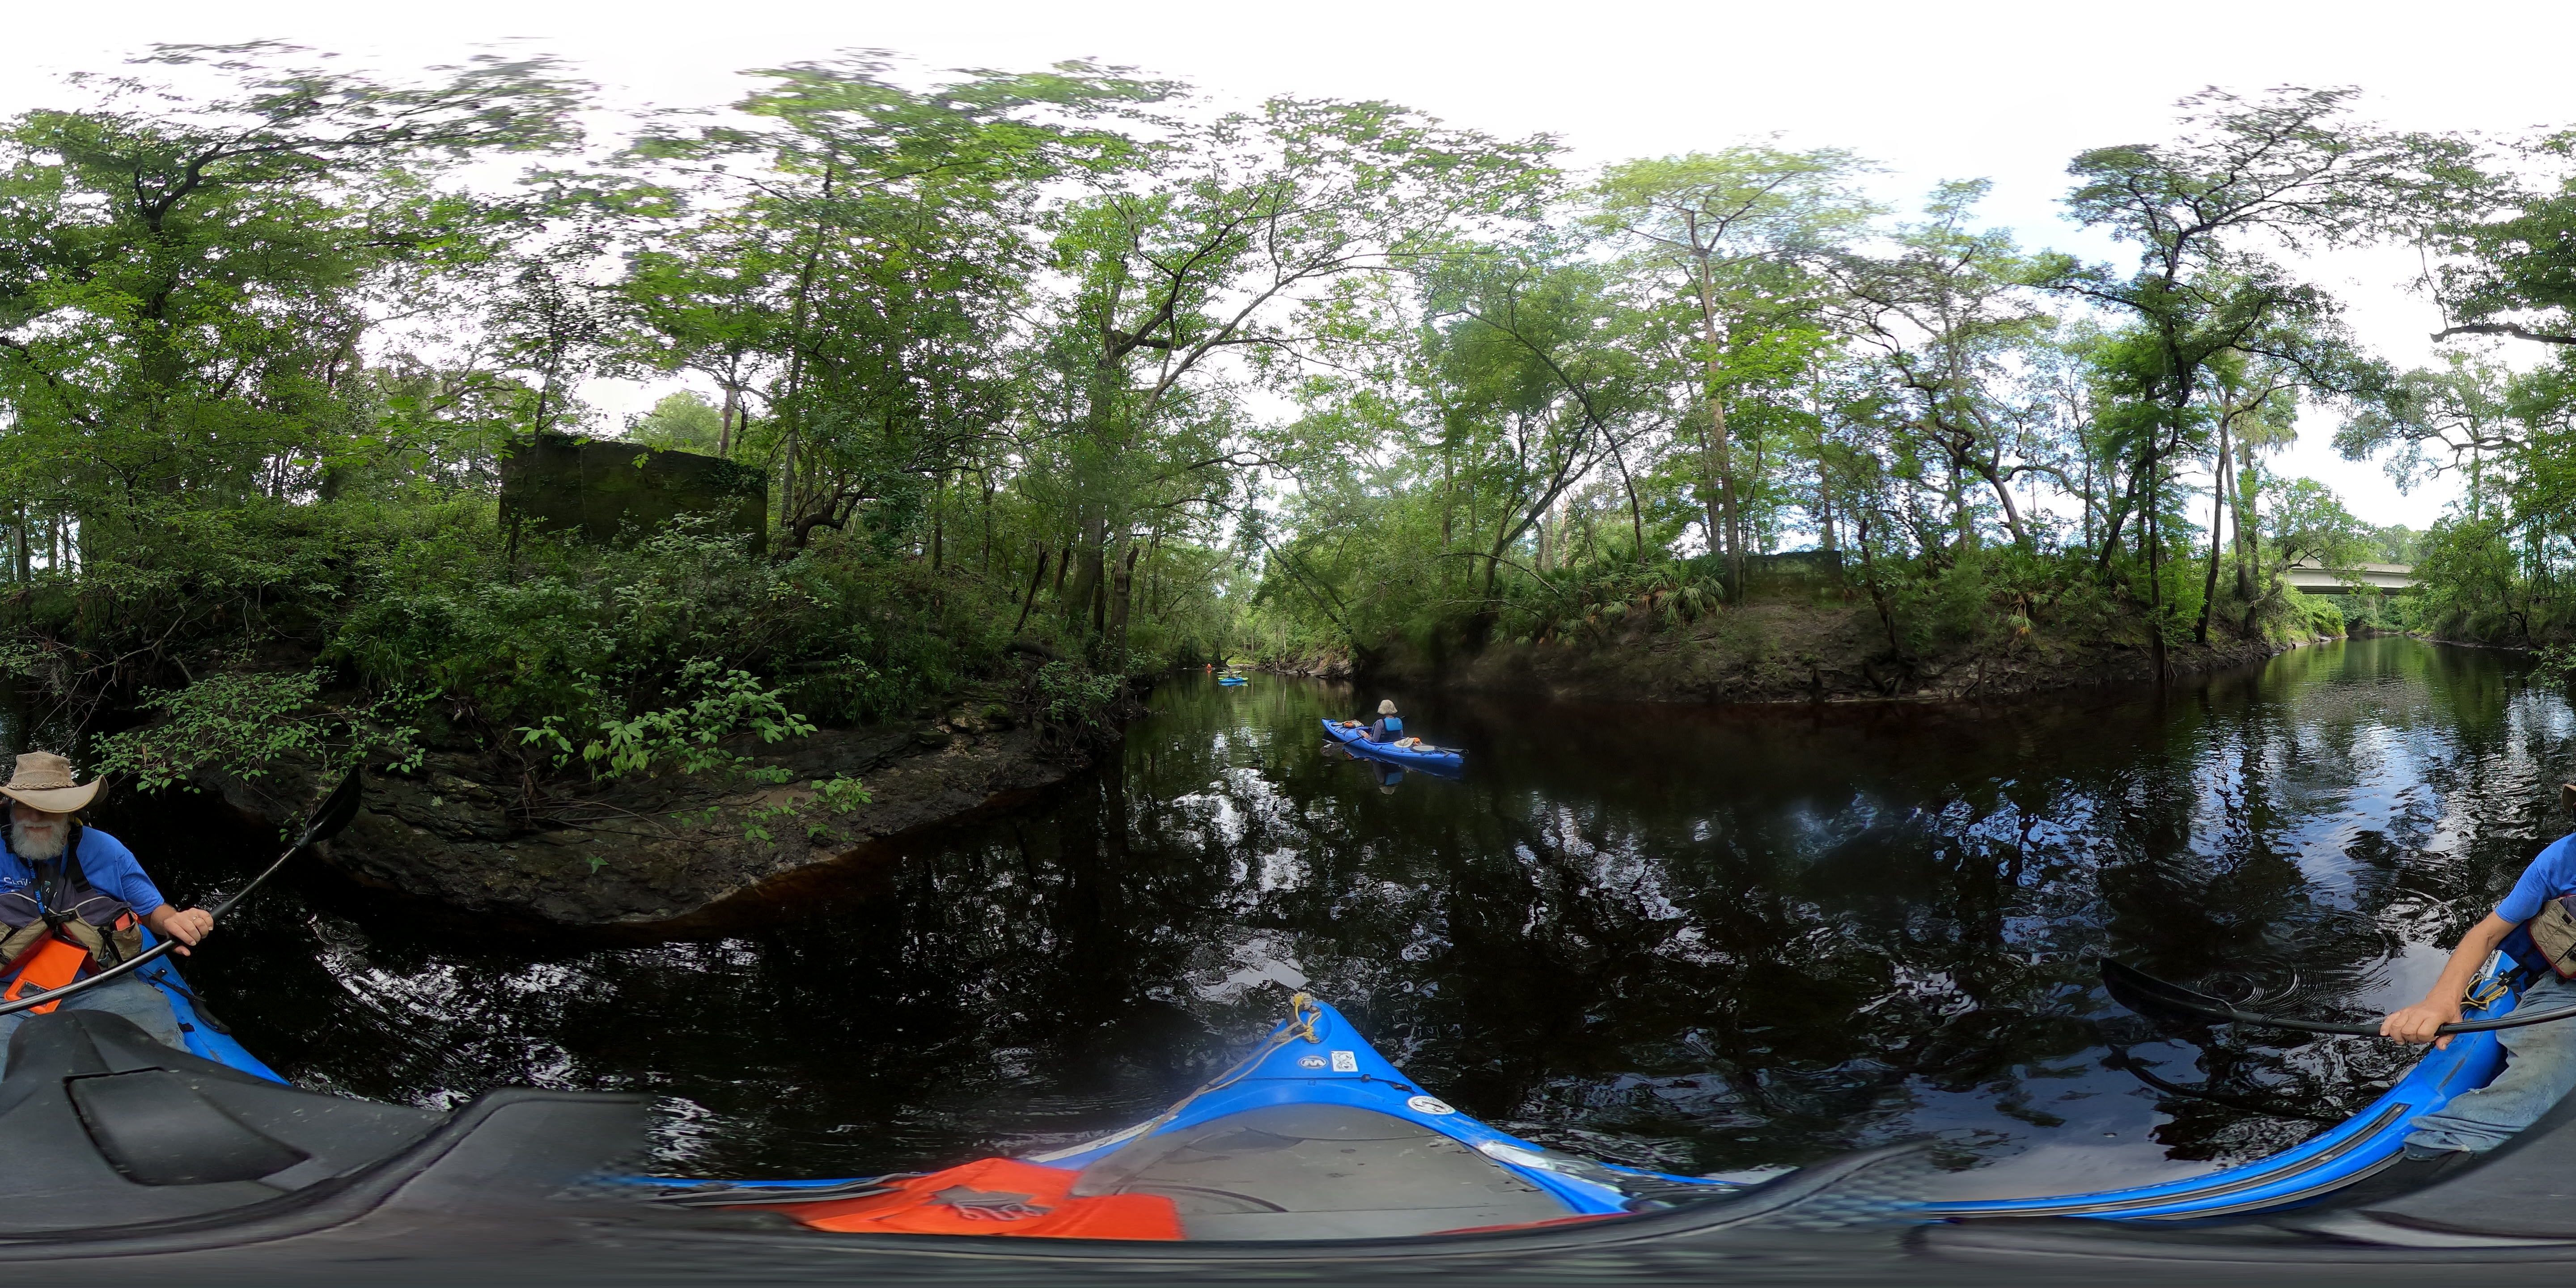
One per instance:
[(622, 491)]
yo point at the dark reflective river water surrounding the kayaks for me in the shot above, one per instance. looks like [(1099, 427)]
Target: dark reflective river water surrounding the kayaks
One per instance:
[(1691, 939)]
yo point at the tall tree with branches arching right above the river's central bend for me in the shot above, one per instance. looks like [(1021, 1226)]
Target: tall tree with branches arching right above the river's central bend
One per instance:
[(1245, 231)]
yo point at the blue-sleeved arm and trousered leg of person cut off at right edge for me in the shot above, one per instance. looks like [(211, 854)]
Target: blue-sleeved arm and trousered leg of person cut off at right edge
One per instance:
[(2536, 926)]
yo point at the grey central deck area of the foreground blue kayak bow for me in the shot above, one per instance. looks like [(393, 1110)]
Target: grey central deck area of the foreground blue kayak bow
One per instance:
[(1318, 1173)]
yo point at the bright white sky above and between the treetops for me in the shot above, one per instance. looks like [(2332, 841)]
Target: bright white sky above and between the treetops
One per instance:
[(1962, 89)]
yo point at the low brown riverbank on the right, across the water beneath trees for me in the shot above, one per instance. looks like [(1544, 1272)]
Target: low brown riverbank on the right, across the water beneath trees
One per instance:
[(1802, 653)]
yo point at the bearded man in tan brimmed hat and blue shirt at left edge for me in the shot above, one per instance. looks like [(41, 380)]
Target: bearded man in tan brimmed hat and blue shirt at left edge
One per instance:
[(73, 900)]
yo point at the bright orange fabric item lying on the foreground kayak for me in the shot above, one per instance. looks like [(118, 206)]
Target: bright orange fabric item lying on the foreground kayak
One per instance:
[(993, 1197)]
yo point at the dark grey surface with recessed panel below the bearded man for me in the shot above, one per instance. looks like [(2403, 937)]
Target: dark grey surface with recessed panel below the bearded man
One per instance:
[(109, 1127)]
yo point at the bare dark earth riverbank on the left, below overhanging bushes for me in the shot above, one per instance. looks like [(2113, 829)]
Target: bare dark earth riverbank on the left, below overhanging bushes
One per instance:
[(668, 854)]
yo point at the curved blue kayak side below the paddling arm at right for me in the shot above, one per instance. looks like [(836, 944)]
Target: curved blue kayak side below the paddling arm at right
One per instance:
[(2309, 1171)]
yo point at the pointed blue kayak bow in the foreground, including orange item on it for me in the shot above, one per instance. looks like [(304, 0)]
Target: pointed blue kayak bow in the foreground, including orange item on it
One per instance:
[(1310, 1137)]
